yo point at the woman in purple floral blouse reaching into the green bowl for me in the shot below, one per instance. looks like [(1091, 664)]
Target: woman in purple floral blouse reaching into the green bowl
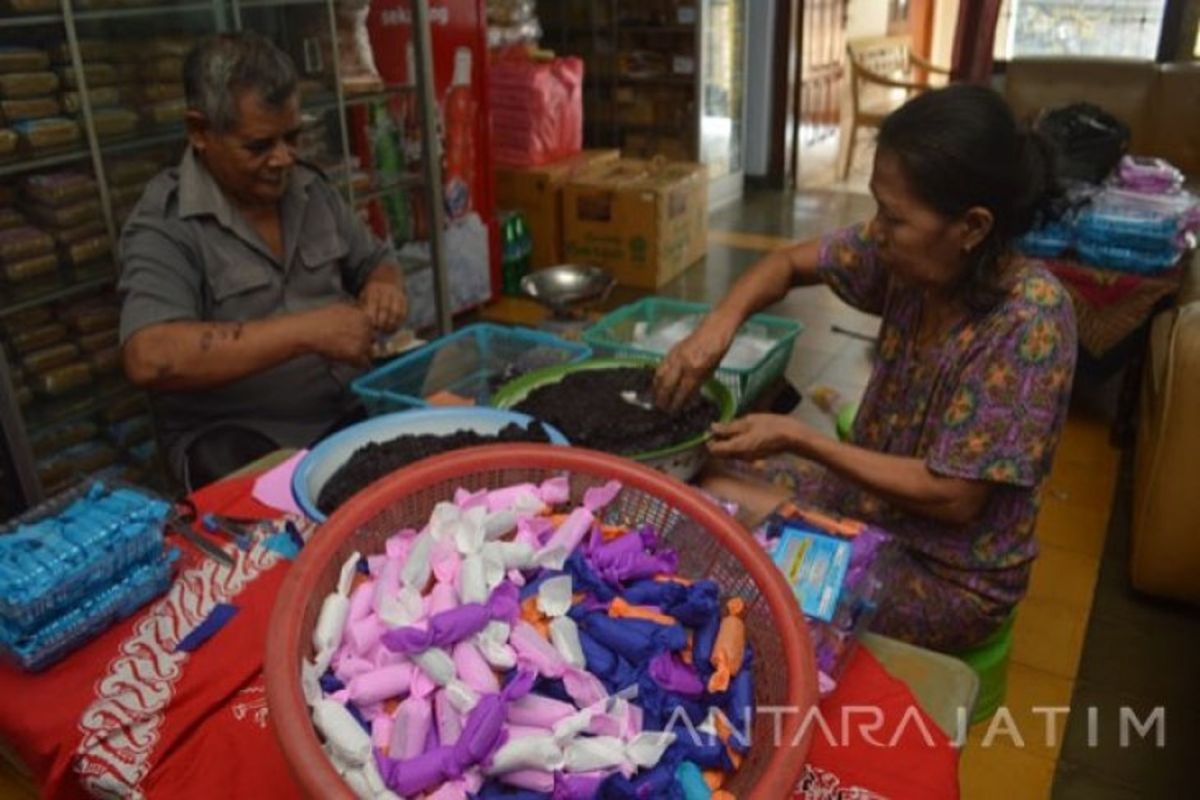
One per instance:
[(958, 426)]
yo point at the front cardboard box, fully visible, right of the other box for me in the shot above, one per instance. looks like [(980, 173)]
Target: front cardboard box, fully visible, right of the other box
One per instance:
[(645, 221)]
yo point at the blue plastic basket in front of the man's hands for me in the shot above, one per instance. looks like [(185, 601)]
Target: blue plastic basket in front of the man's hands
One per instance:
[(472, 363)]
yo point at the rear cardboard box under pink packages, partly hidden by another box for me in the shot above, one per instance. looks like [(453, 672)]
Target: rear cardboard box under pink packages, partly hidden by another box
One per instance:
[(538, 194)]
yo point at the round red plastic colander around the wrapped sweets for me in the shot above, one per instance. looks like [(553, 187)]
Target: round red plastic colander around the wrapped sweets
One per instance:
[(711, 545)]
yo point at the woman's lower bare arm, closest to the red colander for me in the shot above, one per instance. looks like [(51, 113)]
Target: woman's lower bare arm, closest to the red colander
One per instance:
[(904, 482)]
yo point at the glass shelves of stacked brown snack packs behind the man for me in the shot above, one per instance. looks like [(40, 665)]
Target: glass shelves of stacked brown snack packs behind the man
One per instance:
[(92, 109)]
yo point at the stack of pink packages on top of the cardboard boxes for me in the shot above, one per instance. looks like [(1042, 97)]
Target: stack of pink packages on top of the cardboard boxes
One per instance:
[(537, 109)]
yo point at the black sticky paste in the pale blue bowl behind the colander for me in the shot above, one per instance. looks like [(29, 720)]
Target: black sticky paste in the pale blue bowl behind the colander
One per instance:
[(379, 459)]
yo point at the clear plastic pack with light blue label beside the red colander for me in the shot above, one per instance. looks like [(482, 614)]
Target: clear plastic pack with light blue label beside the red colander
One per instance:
[(837, 569)]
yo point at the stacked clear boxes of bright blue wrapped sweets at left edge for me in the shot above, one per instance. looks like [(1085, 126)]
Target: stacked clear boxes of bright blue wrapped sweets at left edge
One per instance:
[(75, 567)]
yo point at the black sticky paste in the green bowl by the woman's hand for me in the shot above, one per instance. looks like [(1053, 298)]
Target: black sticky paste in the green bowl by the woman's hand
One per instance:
[(589, 408)]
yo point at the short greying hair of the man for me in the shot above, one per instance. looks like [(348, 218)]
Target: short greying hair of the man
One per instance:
[(221, 68)]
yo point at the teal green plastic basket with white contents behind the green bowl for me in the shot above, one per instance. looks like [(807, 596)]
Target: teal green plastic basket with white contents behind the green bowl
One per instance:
[(616, 334)]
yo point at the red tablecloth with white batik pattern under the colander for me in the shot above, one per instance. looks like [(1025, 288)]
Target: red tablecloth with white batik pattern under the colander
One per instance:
[(202, 727)]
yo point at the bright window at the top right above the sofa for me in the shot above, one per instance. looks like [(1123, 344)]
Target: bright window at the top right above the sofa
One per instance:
[(1096, 28)]
